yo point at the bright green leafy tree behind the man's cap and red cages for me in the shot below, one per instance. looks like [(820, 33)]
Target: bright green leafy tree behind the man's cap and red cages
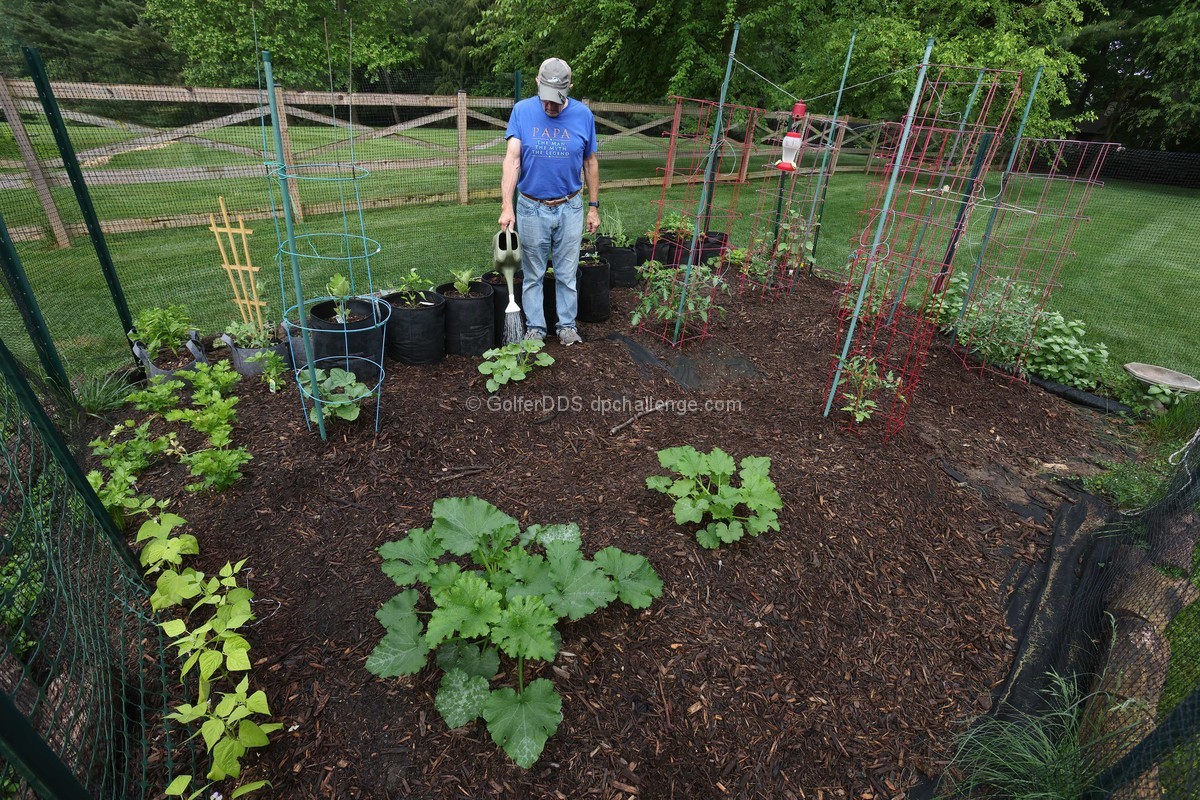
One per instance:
[(622, 51)]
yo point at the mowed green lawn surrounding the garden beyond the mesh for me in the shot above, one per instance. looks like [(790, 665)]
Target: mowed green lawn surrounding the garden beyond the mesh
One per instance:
[(1135, 279)]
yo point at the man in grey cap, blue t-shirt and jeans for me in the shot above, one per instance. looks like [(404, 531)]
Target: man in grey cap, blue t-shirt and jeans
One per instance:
[(551, 139)]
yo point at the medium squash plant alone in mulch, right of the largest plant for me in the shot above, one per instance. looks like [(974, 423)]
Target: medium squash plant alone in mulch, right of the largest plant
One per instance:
[(705, 490)]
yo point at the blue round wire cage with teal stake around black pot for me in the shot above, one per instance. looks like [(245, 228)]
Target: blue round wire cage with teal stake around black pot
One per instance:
[(327, 333)]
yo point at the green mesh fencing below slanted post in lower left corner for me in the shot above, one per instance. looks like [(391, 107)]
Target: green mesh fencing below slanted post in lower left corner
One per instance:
[(85, 684)]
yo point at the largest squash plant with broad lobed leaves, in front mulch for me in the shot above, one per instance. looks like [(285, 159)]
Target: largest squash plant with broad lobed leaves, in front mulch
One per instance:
[(525, 585)]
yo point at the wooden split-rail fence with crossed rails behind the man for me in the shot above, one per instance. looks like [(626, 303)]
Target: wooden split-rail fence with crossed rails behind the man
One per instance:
[(658, 127)]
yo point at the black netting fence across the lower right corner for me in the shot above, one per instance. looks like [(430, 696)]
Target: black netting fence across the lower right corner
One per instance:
[(1103, 700)]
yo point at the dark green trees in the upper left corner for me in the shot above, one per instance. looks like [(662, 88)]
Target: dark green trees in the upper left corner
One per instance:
[(89, 40)]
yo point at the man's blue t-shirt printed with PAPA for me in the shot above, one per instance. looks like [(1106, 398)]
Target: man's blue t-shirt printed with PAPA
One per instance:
[(553, 149)]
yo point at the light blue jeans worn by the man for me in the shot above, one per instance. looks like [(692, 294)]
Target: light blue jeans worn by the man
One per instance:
[(550, 236)]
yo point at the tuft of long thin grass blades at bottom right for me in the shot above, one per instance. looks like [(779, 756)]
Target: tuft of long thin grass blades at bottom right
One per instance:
[(1048, 756)]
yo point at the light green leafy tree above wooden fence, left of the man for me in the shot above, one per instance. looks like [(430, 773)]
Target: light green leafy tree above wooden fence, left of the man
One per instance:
[(311, 41)]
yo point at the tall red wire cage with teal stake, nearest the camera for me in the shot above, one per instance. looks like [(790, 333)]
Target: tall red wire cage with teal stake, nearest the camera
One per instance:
[(916, 228)]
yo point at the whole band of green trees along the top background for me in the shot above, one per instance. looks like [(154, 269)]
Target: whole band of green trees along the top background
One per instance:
[(1124, 70)]
